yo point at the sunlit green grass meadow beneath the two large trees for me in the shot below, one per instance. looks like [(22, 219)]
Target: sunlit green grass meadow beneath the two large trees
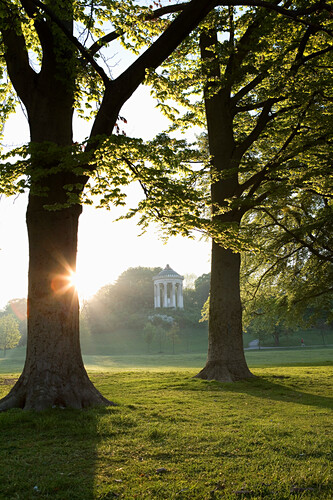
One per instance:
[(172, 436)]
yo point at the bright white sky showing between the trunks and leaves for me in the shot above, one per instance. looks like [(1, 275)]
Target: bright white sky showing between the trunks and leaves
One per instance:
[(105, 248)]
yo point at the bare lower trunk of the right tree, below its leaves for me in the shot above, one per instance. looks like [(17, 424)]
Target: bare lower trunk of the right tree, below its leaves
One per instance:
[(226, 361)]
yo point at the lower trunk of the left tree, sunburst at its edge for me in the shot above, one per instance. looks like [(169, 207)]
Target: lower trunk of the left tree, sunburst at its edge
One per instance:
[(54, 374)]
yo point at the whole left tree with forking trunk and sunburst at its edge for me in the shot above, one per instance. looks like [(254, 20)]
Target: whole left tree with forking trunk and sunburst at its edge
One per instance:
[(51, 73)]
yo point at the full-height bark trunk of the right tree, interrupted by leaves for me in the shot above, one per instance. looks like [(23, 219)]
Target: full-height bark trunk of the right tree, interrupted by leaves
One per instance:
[(226, 361)]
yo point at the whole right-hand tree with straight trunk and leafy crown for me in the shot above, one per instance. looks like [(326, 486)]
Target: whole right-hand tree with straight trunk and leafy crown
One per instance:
[(266, 82)]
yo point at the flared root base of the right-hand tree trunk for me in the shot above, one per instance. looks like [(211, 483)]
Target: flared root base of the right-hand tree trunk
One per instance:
[(225, 372)]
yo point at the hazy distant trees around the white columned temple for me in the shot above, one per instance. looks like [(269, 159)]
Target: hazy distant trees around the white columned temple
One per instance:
[(128, 306)]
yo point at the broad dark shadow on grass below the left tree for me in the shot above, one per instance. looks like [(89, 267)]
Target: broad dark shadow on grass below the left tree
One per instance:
[(53, 454)]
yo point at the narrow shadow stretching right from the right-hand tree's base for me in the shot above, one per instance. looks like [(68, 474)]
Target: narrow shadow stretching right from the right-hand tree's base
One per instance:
[(265, 388)]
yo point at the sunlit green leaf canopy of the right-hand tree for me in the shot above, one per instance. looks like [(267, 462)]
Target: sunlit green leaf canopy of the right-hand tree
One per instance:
[(274, 77)]
